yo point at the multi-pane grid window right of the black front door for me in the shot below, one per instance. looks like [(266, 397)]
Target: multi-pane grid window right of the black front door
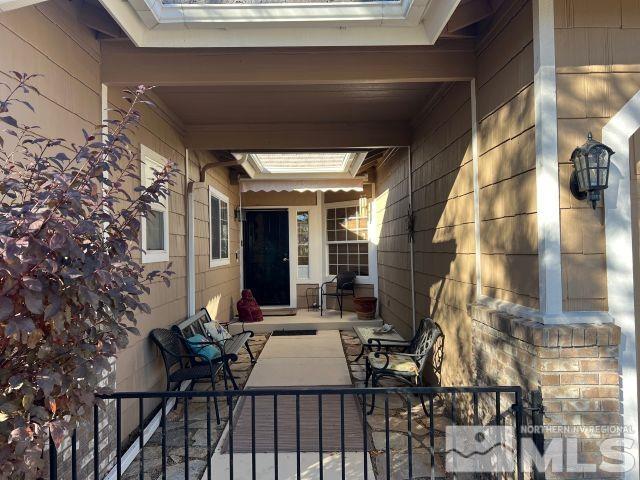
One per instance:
[(348, 240)]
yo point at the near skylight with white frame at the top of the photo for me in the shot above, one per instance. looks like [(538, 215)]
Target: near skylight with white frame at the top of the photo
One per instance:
[(152, 23)]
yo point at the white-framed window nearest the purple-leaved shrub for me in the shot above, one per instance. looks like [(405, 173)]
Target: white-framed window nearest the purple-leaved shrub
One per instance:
[(155, 226)]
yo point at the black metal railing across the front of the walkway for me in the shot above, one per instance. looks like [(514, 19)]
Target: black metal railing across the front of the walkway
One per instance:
[(460, 406)]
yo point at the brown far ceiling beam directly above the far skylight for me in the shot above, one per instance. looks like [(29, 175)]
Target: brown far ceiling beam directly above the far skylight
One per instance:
[(296, 136)]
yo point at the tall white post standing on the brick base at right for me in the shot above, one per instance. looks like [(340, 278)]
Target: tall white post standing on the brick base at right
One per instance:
[(547, 186)]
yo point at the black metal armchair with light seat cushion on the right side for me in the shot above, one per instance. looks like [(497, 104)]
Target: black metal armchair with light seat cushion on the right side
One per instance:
[(408, 366)]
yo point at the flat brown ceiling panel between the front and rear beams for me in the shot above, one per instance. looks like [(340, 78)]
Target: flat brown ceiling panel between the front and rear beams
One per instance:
[(366, 102)]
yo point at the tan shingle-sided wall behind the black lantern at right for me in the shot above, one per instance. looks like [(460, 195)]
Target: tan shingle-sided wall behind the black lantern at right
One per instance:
[(598, 71)]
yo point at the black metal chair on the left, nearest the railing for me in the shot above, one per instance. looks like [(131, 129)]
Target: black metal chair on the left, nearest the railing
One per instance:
[(181, 364)]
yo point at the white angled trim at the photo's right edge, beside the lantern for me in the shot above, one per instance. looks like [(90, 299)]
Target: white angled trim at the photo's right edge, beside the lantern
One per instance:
[(620, 260)]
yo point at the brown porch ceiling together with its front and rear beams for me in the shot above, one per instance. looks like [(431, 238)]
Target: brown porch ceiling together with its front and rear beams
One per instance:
[(295, 98)]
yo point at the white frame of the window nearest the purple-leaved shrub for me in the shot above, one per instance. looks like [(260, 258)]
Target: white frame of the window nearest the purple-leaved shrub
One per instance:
[(150, 162)]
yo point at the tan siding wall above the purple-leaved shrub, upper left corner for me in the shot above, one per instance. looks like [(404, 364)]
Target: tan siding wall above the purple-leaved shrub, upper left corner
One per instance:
[(47, 39)]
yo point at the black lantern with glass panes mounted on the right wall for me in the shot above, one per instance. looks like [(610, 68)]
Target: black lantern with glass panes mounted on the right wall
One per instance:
[(591, 170)]
